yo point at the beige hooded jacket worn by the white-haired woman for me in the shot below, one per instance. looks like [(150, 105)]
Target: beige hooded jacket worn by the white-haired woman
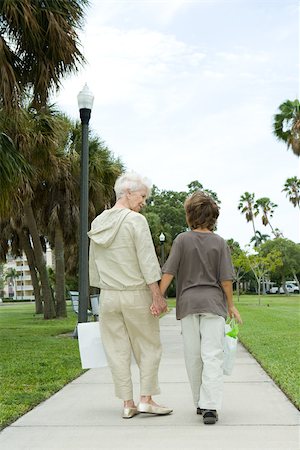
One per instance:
[(122, 254)]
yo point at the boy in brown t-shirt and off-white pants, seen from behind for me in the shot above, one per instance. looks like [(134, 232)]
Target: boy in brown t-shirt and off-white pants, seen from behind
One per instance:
[(201, 262)]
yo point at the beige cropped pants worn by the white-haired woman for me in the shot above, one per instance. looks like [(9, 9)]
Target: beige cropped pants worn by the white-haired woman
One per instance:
[(128, 326)]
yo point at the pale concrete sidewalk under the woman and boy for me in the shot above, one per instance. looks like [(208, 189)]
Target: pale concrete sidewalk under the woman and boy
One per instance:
[(85, 415)]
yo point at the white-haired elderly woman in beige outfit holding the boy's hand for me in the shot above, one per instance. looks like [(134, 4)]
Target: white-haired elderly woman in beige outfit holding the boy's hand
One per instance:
[(123, 264)]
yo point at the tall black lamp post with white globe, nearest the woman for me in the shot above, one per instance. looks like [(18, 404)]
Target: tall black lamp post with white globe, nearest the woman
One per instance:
[(85, 103)]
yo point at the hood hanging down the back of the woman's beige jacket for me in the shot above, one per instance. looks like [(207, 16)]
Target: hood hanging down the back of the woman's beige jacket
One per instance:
[(106, 226)]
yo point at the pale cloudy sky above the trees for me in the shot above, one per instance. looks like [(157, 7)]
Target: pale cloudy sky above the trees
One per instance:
[(186, 90)]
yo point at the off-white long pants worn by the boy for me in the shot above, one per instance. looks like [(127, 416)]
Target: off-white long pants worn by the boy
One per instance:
[(203, 339)]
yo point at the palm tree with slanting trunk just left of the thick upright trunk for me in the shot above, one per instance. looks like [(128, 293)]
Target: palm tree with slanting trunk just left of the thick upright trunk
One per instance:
[(36, 136)]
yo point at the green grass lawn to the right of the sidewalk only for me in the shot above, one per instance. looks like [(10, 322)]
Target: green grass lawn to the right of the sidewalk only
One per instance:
[(270, 332)]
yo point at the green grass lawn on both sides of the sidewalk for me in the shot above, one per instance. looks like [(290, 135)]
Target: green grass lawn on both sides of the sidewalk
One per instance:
[(39, 357)]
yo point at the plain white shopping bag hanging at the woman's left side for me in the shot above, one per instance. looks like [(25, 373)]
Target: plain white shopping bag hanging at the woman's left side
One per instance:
[(91, 350)]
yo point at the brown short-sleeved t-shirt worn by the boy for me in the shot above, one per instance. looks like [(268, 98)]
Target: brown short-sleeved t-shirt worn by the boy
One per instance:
[(199, 261)]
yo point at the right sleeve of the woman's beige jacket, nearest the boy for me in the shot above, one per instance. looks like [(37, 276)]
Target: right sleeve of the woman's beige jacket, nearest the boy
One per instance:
[(145, 250)]
